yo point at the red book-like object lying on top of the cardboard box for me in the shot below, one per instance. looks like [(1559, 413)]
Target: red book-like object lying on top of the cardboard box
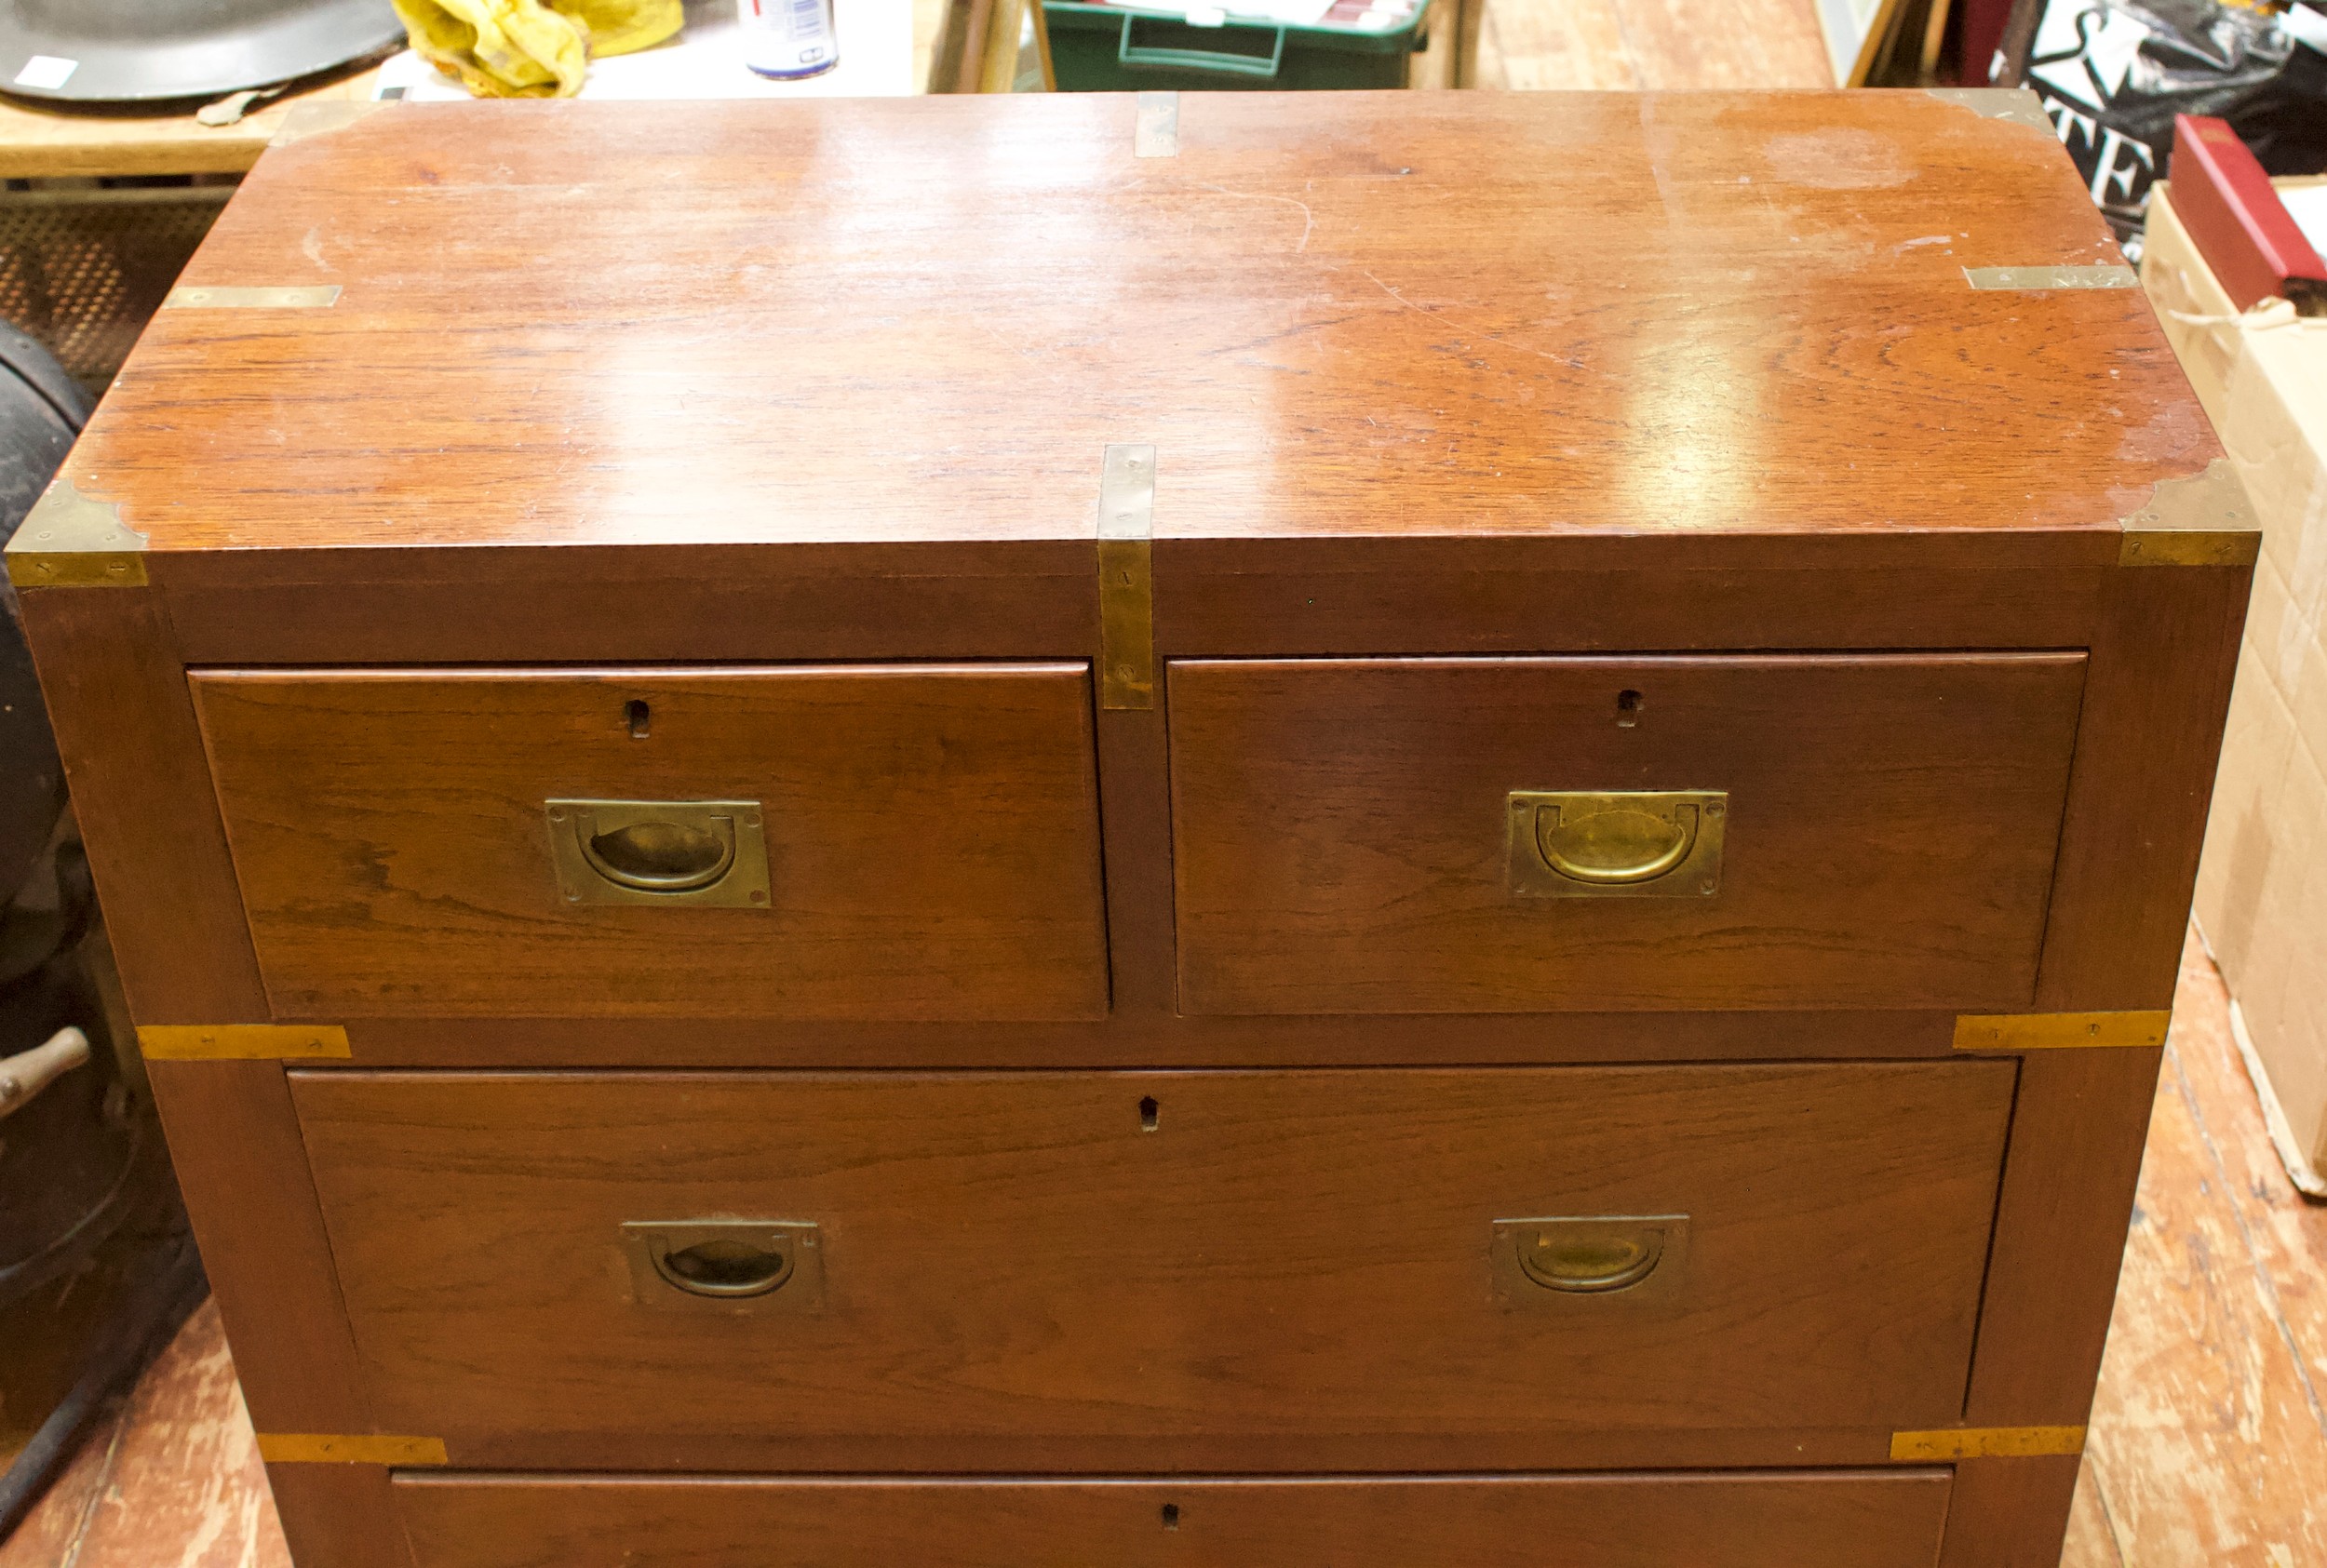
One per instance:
[(2237, 220)]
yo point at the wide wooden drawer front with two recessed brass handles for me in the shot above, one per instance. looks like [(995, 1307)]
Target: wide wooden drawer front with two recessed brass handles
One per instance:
[(1016, 1257)]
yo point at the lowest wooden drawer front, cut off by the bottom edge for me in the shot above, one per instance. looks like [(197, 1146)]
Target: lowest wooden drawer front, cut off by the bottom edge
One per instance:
[(1753, 1520)]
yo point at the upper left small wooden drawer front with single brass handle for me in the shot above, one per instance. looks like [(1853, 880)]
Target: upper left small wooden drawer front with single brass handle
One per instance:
[(785, 843)]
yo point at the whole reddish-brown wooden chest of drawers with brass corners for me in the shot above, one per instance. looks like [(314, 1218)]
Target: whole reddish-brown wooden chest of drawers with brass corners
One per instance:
[(1342, 829)]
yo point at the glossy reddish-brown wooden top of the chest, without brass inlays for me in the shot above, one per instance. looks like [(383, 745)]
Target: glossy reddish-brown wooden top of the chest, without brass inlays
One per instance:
[(1332, 313)]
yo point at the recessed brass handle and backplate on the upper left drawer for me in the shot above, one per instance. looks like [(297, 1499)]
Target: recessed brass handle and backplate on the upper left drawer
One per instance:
[(660, 853)]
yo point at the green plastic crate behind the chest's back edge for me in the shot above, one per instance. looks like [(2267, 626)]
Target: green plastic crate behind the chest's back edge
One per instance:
[(1120, 50)]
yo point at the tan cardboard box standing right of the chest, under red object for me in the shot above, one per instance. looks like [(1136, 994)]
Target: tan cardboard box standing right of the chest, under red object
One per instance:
[(2263, 885)]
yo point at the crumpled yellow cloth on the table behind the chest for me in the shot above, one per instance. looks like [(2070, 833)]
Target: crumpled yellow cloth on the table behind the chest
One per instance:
[(532, 48)]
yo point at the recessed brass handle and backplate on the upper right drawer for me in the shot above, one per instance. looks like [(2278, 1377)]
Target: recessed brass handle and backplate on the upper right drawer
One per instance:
[(1642, 843)]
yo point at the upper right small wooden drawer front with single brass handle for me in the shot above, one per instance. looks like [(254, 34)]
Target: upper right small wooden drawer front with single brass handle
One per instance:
[(1618, 834)]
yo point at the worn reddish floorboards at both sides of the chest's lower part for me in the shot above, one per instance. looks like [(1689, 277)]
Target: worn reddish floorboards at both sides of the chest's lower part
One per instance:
[(2209, 1439)]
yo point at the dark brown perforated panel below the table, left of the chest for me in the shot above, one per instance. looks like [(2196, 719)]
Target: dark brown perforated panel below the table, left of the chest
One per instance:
[(85, 271)]
